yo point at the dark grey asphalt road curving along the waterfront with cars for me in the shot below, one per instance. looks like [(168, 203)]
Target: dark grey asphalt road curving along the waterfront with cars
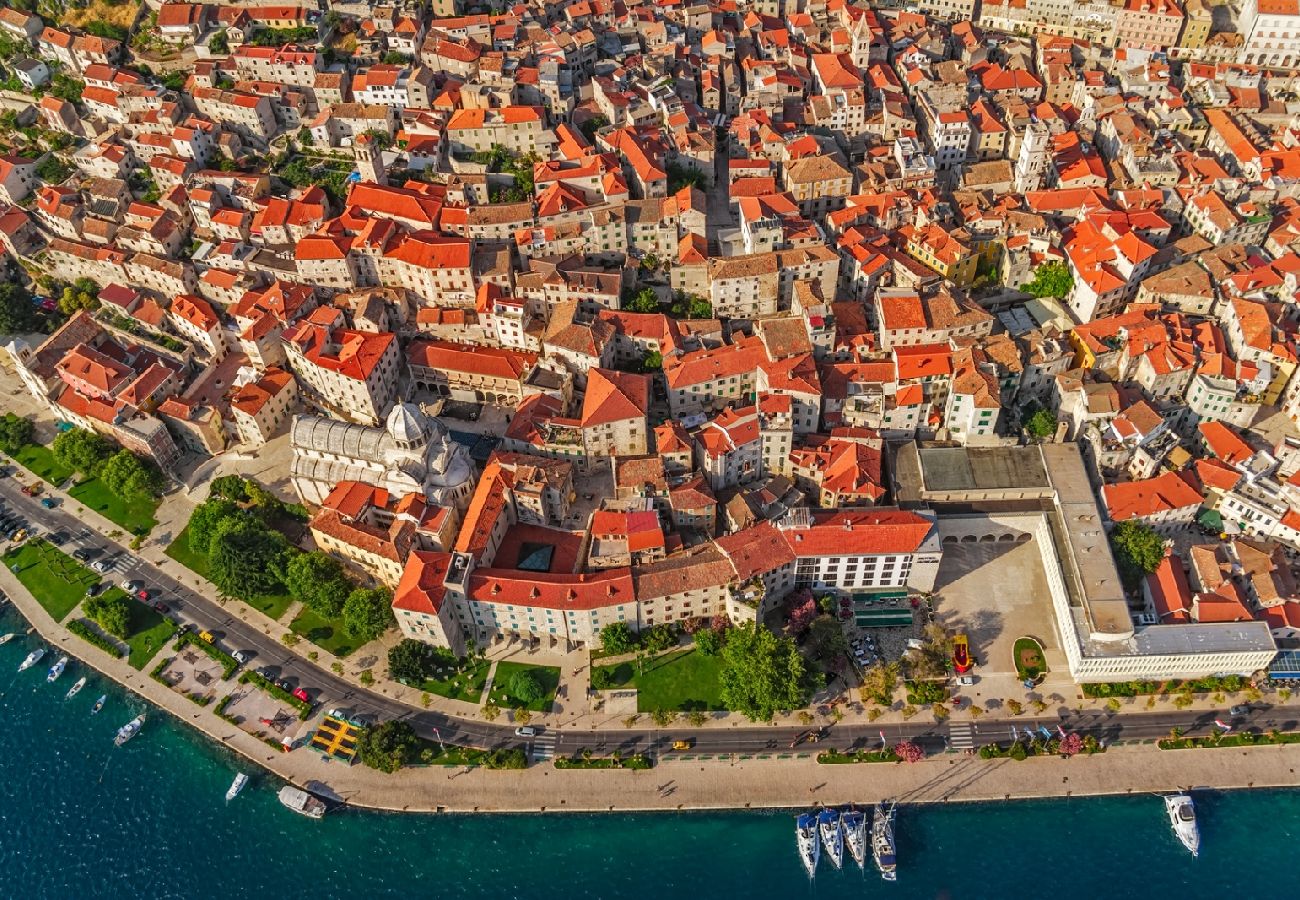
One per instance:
[(235, 634)]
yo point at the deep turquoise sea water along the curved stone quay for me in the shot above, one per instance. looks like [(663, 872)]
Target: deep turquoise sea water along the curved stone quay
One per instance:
[(80, 819)]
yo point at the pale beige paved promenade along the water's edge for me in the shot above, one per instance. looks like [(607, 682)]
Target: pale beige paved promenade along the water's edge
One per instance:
[(678, 785)]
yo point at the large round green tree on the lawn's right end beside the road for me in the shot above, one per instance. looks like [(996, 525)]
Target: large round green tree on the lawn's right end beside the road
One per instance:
[(761, 673)]
